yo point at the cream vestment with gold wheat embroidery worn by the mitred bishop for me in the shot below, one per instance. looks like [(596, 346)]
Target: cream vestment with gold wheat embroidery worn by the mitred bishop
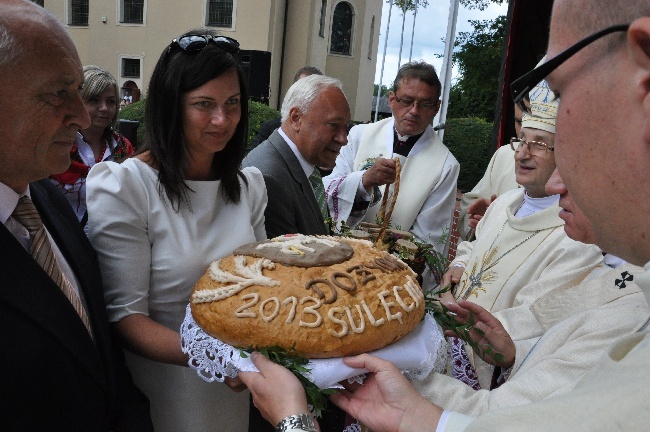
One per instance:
[(514, 261)]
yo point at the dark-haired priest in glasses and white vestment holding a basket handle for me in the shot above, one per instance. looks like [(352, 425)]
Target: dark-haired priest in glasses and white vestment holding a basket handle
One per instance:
[(427, 191)]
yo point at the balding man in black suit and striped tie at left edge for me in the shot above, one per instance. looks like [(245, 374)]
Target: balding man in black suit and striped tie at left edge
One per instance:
[(59, 367)]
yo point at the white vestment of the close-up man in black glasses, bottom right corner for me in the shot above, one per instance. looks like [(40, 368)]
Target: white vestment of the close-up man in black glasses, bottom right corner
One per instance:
[(613, 396)]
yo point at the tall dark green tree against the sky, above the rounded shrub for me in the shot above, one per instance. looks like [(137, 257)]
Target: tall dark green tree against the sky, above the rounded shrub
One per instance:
[(478, 58)]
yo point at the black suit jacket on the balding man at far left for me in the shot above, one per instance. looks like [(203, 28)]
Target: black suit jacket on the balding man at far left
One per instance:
[(53, 377)]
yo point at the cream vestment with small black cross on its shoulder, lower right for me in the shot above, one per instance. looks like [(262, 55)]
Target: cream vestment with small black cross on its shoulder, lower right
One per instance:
[(578, 323)]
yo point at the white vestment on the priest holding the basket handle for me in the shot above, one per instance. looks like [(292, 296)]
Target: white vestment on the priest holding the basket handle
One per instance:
[(432, 218)]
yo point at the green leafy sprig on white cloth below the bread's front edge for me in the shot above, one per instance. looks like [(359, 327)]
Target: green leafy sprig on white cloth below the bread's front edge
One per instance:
[(296, 363)]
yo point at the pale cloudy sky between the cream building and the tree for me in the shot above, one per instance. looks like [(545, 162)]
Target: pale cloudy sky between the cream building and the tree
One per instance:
[(430, 31)]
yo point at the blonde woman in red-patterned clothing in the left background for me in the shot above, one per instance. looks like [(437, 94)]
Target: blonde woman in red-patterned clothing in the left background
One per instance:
[(98, 142)]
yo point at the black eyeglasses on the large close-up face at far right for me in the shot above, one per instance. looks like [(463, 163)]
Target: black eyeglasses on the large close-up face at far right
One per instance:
[(522, 86)]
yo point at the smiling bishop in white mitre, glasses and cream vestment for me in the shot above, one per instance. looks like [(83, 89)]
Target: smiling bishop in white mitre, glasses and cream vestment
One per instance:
[(521, 251)]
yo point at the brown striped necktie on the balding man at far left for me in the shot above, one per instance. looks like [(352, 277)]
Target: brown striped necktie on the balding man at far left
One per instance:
[(41, 250)]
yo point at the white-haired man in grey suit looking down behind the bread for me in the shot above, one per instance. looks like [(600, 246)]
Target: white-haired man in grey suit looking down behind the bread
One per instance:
[(315, 115)]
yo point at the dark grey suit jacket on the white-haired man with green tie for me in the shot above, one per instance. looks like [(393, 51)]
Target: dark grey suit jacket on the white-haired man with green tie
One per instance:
[(292, 207)]
